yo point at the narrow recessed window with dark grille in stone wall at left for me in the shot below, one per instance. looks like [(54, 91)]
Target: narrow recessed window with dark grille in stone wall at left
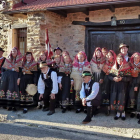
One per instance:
[(22, 40)]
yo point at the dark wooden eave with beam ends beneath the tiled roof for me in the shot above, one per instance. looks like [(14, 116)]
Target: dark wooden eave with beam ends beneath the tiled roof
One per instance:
[(85, 8)]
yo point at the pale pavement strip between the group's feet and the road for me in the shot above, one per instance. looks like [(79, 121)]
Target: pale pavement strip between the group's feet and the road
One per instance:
[(101, 125)]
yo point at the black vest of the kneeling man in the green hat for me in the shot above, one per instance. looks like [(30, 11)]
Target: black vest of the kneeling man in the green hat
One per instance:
[(88, 91)]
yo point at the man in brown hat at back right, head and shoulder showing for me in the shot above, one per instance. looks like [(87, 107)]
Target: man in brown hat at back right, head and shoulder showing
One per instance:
[(123, 48)]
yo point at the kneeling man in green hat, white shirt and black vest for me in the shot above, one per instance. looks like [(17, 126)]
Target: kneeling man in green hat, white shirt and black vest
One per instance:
[(90, 95)]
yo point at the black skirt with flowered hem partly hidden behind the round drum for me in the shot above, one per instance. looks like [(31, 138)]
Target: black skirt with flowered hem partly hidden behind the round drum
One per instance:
[(26, 99)]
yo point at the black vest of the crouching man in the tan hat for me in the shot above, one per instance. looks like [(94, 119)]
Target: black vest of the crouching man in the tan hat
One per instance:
[(48, 80)]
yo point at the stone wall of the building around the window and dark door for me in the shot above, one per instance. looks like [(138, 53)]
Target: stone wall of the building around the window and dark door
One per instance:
[(61, 31)]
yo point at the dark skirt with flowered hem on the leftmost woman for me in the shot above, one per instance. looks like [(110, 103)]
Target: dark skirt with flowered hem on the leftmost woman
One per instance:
[(9, 90)]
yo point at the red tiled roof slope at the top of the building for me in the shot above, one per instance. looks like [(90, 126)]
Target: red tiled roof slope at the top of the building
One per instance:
[(44, 4)]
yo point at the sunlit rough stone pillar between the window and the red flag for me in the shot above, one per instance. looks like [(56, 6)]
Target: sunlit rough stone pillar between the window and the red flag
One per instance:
[(34, 32)]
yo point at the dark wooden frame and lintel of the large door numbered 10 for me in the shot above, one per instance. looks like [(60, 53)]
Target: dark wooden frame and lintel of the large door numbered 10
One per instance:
[(122, 25)]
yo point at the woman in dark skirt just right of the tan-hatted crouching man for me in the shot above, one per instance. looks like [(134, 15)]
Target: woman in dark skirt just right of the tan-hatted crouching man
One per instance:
[(65, 83)]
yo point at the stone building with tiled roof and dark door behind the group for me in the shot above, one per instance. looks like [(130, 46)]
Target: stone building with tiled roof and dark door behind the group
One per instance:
[(73, 25)]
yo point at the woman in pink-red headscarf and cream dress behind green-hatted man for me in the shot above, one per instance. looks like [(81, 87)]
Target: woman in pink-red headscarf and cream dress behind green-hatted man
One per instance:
[(80, 64)]
